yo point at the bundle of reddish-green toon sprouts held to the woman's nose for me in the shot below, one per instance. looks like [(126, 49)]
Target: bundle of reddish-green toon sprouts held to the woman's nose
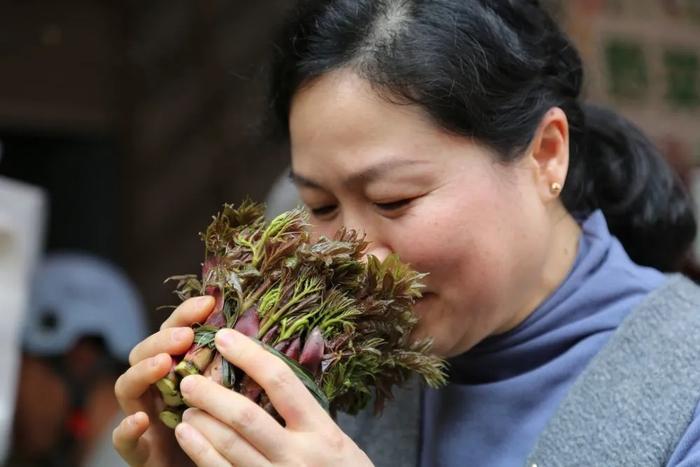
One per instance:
[(342, 323)]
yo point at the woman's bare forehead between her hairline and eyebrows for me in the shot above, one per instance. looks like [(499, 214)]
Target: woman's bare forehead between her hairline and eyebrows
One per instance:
[(340, 125)]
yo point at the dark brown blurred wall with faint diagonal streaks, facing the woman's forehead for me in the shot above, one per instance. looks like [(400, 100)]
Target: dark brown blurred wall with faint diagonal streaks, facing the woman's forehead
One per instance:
[(196, 85)]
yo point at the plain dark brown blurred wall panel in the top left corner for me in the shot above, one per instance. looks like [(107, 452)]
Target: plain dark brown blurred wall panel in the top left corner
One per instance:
[(60, 65)]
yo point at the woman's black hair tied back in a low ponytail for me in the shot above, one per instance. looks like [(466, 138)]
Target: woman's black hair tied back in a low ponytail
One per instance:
[(490, 70)]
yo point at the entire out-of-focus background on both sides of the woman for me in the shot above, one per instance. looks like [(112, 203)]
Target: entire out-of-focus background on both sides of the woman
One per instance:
[(124, 125)]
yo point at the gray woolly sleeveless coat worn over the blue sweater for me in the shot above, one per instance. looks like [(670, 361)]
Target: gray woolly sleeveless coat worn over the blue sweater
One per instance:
[(630, 406)]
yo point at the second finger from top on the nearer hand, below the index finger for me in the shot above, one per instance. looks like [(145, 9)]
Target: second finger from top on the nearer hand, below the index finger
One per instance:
[(249, 420)]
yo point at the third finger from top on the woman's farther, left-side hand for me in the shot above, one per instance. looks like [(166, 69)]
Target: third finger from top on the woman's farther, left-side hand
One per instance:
[(135, 381)]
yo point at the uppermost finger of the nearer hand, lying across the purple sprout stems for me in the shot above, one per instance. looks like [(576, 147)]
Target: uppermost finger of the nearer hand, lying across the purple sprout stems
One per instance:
[(287, 393)]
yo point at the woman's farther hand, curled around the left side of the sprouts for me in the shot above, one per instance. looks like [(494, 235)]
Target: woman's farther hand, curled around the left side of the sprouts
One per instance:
[(141, 439)]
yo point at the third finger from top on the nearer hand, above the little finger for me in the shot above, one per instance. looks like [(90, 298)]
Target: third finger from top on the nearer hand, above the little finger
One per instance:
[(232, 446)]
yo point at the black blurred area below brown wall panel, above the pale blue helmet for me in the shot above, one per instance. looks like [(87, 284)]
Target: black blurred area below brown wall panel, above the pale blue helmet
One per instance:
[(81, 177)]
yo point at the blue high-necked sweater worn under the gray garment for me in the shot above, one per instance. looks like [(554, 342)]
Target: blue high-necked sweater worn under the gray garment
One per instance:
[(504, 390)]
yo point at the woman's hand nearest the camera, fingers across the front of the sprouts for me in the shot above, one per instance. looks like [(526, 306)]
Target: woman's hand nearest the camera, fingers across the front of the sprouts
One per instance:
[(224, 428)]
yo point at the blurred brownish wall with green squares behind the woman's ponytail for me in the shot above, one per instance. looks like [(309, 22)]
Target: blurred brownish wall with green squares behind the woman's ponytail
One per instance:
[(643, 58)]
